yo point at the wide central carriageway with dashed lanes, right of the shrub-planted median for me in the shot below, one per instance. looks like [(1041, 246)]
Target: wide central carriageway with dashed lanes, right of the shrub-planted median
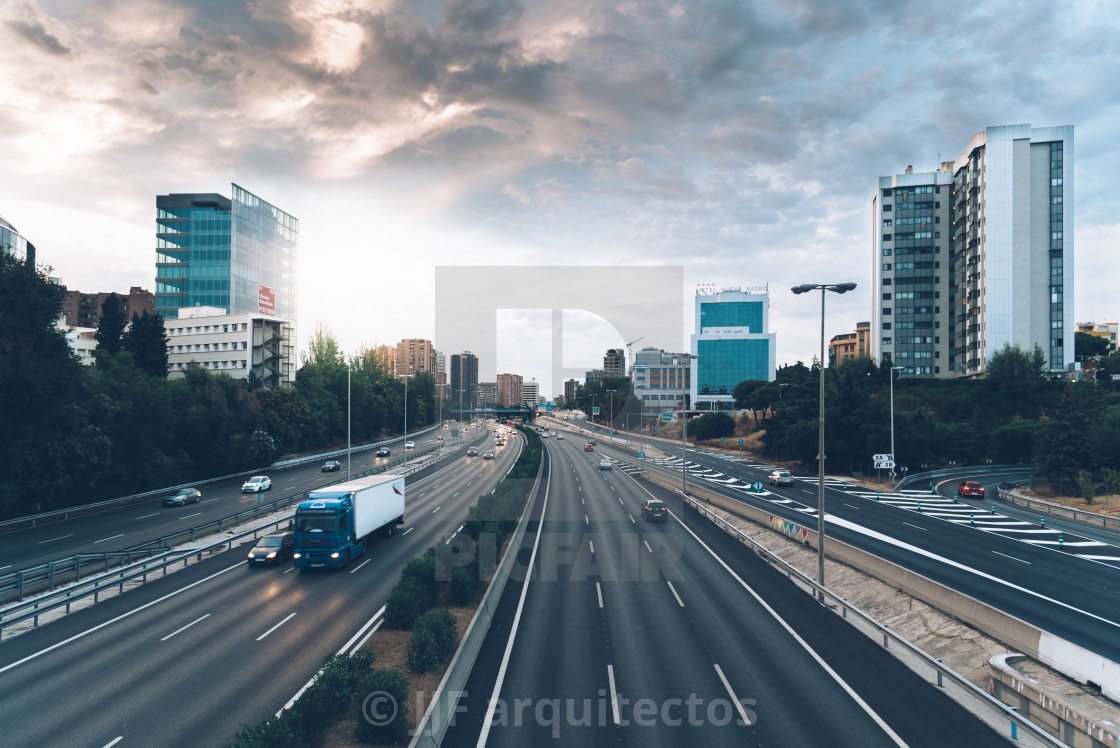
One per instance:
[(637, 633)]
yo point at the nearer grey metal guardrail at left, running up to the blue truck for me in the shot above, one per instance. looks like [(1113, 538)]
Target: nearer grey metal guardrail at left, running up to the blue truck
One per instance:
[(96, 586)]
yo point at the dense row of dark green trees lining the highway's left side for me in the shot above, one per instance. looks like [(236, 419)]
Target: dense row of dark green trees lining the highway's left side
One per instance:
[(76, 435)]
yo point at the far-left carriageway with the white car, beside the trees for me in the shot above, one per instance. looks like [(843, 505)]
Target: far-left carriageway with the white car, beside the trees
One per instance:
[(135, 525)]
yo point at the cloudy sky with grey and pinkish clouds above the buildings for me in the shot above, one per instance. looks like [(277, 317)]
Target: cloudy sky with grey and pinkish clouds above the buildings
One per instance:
[(740, 142)]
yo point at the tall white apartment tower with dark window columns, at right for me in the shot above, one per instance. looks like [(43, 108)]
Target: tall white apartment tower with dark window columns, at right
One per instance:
[(977, 256)]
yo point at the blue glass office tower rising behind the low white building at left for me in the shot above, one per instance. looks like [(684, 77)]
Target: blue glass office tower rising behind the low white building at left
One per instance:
[(238, 255)]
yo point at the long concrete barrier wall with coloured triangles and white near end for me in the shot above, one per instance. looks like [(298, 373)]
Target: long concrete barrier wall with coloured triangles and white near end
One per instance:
[(1063, 657)]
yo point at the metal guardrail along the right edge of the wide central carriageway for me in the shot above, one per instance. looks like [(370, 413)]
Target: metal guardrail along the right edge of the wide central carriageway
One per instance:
[(960, 689)]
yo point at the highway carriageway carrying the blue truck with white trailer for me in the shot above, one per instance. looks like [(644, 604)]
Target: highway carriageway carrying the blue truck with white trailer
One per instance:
[(189, 659)]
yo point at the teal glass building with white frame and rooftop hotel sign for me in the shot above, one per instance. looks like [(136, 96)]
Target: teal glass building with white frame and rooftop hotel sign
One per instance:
[(731, 345)]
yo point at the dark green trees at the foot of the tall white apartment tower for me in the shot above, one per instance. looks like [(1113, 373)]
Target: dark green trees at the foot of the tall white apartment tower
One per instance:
[(1015, 415)]
